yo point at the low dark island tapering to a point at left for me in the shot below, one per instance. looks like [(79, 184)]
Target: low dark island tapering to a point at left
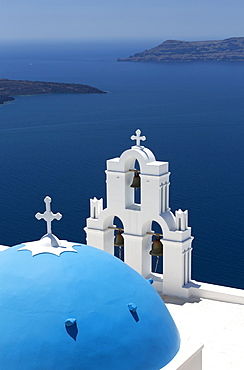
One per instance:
[(10, 88)]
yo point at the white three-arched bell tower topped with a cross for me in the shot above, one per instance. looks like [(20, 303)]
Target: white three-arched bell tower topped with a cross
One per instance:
[(137, 218)]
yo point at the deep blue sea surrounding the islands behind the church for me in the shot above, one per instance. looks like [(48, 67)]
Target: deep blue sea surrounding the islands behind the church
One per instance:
[(192, 115)]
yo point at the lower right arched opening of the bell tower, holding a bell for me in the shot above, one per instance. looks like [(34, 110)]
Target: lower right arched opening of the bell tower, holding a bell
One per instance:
[(156, 248)]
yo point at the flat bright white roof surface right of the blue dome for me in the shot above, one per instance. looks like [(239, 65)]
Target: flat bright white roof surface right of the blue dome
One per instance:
[(217, 325)]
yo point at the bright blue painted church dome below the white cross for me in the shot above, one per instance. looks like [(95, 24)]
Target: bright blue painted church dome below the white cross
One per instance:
[(80, 310)]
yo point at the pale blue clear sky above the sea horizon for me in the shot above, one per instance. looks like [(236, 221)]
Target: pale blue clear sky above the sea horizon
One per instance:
[(121, 19)]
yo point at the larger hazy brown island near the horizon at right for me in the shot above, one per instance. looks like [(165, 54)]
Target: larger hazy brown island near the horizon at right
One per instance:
[(231, 50)]
